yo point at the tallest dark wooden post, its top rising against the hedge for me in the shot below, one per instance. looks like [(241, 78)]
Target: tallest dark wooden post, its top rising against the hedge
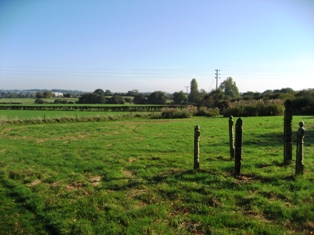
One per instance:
[(287, 133)]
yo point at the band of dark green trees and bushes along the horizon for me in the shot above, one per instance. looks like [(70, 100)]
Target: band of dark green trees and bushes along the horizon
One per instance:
[(226, 98)]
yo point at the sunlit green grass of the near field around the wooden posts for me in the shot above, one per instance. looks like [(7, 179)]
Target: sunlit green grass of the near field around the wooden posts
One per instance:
[(135, 176)]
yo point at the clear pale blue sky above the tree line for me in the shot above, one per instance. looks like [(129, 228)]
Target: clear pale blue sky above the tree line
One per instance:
[(151, 45)]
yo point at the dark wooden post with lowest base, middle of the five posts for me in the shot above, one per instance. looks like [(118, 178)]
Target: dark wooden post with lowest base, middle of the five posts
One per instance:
[(238, 147)]
